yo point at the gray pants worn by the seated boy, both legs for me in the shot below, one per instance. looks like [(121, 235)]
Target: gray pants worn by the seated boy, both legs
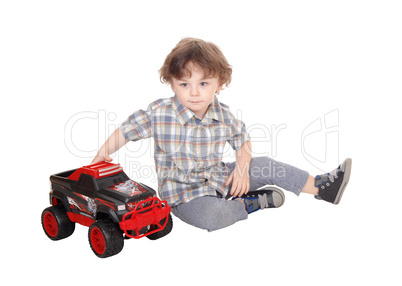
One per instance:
[(214, 212)]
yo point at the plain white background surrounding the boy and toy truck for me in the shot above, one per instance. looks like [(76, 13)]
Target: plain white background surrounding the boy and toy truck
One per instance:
[(72, 71)]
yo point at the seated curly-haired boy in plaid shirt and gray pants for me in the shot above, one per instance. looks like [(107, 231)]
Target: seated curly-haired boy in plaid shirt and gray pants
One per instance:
[(190, 131)]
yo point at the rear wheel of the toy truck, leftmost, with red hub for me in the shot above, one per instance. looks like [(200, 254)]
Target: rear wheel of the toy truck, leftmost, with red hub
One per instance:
[(56, 223)]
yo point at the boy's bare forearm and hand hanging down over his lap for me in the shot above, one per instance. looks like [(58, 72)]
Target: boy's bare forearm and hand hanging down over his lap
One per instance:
[(240, 178)]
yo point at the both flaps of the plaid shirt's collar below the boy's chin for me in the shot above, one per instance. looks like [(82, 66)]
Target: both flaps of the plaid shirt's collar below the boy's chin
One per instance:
[(185, 114)]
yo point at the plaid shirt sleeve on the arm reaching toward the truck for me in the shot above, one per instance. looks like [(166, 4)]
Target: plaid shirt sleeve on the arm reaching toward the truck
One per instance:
[(137, 126)]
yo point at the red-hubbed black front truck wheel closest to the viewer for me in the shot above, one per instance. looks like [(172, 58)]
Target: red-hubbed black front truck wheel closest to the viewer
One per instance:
[(105, 238)]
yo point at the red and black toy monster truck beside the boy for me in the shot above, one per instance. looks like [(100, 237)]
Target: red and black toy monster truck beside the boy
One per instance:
[(102, 197)]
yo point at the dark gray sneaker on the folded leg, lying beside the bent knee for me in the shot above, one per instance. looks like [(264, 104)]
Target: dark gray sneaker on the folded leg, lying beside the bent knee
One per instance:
[(267, 197)]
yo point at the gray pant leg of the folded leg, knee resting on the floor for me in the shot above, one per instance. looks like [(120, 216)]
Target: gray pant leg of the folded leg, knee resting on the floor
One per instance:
[(210, 213)]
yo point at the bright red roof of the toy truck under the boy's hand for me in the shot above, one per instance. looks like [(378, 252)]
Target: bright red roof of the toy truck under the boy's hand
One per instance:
[(97, 170)]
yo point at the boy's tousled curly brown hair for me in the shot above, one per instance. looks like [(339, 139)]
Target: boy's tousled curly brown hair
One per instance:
[(202, 54)]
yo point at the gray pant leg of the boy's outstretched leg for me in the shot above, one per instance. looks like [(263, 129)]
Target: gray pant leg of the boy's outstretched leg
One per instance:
[(267, 171)]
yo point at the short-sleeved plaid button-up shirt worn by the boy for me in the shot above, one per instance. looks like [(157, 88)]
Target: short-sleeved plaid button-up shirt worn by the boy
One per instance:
[(188, 150)]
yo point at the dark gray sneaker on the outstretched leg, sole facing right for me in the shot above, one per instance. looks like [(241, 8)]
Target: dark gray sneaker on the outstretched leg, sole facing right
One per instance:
[(332, 185)]
